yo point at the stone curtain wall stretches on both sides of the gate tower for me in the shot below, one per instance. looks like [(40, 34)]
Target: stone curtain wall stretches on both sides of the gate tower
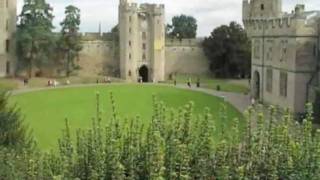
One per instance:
[(182, 57)]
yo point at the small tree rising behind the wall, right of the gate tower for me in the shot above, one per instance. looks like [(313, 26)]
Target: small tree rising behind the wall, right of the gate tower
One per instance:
[(182, 26)]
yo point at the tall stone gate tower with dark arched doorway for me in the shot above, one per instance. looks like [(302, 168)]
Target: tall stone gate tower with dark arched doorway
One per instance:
[(142, 41)]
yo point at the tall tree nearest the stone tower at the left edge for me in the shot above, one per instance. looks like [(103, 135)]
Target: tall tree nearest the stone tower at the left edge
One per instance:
[(35, 40)]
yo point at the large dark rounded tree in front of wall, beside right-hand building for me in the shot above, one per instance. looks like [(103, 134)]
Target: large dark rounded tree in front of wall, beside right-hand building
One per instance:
[(229, 51)]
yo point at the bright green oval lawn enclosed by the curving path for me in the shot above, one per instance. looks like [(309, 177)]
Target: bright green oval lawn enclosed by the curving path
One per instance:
[(45, 111)]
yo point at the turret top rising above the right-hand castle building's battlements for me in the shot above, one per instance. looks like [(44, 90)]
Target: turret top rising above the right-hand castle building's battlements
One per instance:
[(253, 9)]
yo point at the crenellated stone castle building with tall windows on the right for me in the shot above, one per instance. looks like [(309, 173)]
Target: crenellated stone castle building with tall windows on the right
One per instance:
[(285, 53)]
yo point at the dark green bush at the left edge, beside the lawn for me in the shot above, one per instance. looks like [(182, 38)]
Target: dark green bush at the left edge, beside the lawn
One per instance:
[(13, 132)]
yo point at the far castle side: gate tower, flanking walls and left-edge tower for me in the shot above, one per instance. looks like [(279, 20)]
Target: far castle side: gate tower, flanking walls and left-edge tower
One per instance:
[(144, 51)]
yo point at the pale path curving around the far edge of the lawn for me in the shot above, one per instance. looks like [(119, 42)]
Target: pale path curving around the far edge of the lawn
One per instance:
[(239, 101)]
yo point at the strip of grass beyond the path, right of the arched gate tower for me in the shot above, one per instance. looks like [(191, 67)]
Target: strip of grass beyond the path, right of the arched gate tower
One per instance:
[(227, 85)]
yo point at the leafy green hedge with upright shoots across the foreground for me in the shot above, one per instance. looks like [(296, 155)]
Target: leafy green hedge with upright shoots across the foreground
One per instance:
[(177, 145)]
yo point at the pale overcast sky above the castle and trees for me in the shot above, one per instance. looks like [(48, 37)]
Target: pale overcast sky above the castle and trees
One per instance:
[(209, 13)]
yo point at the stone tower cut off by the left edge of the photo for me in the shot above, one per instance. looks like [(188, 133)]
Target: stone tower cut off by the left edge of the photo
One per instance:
[(8, 18)]
